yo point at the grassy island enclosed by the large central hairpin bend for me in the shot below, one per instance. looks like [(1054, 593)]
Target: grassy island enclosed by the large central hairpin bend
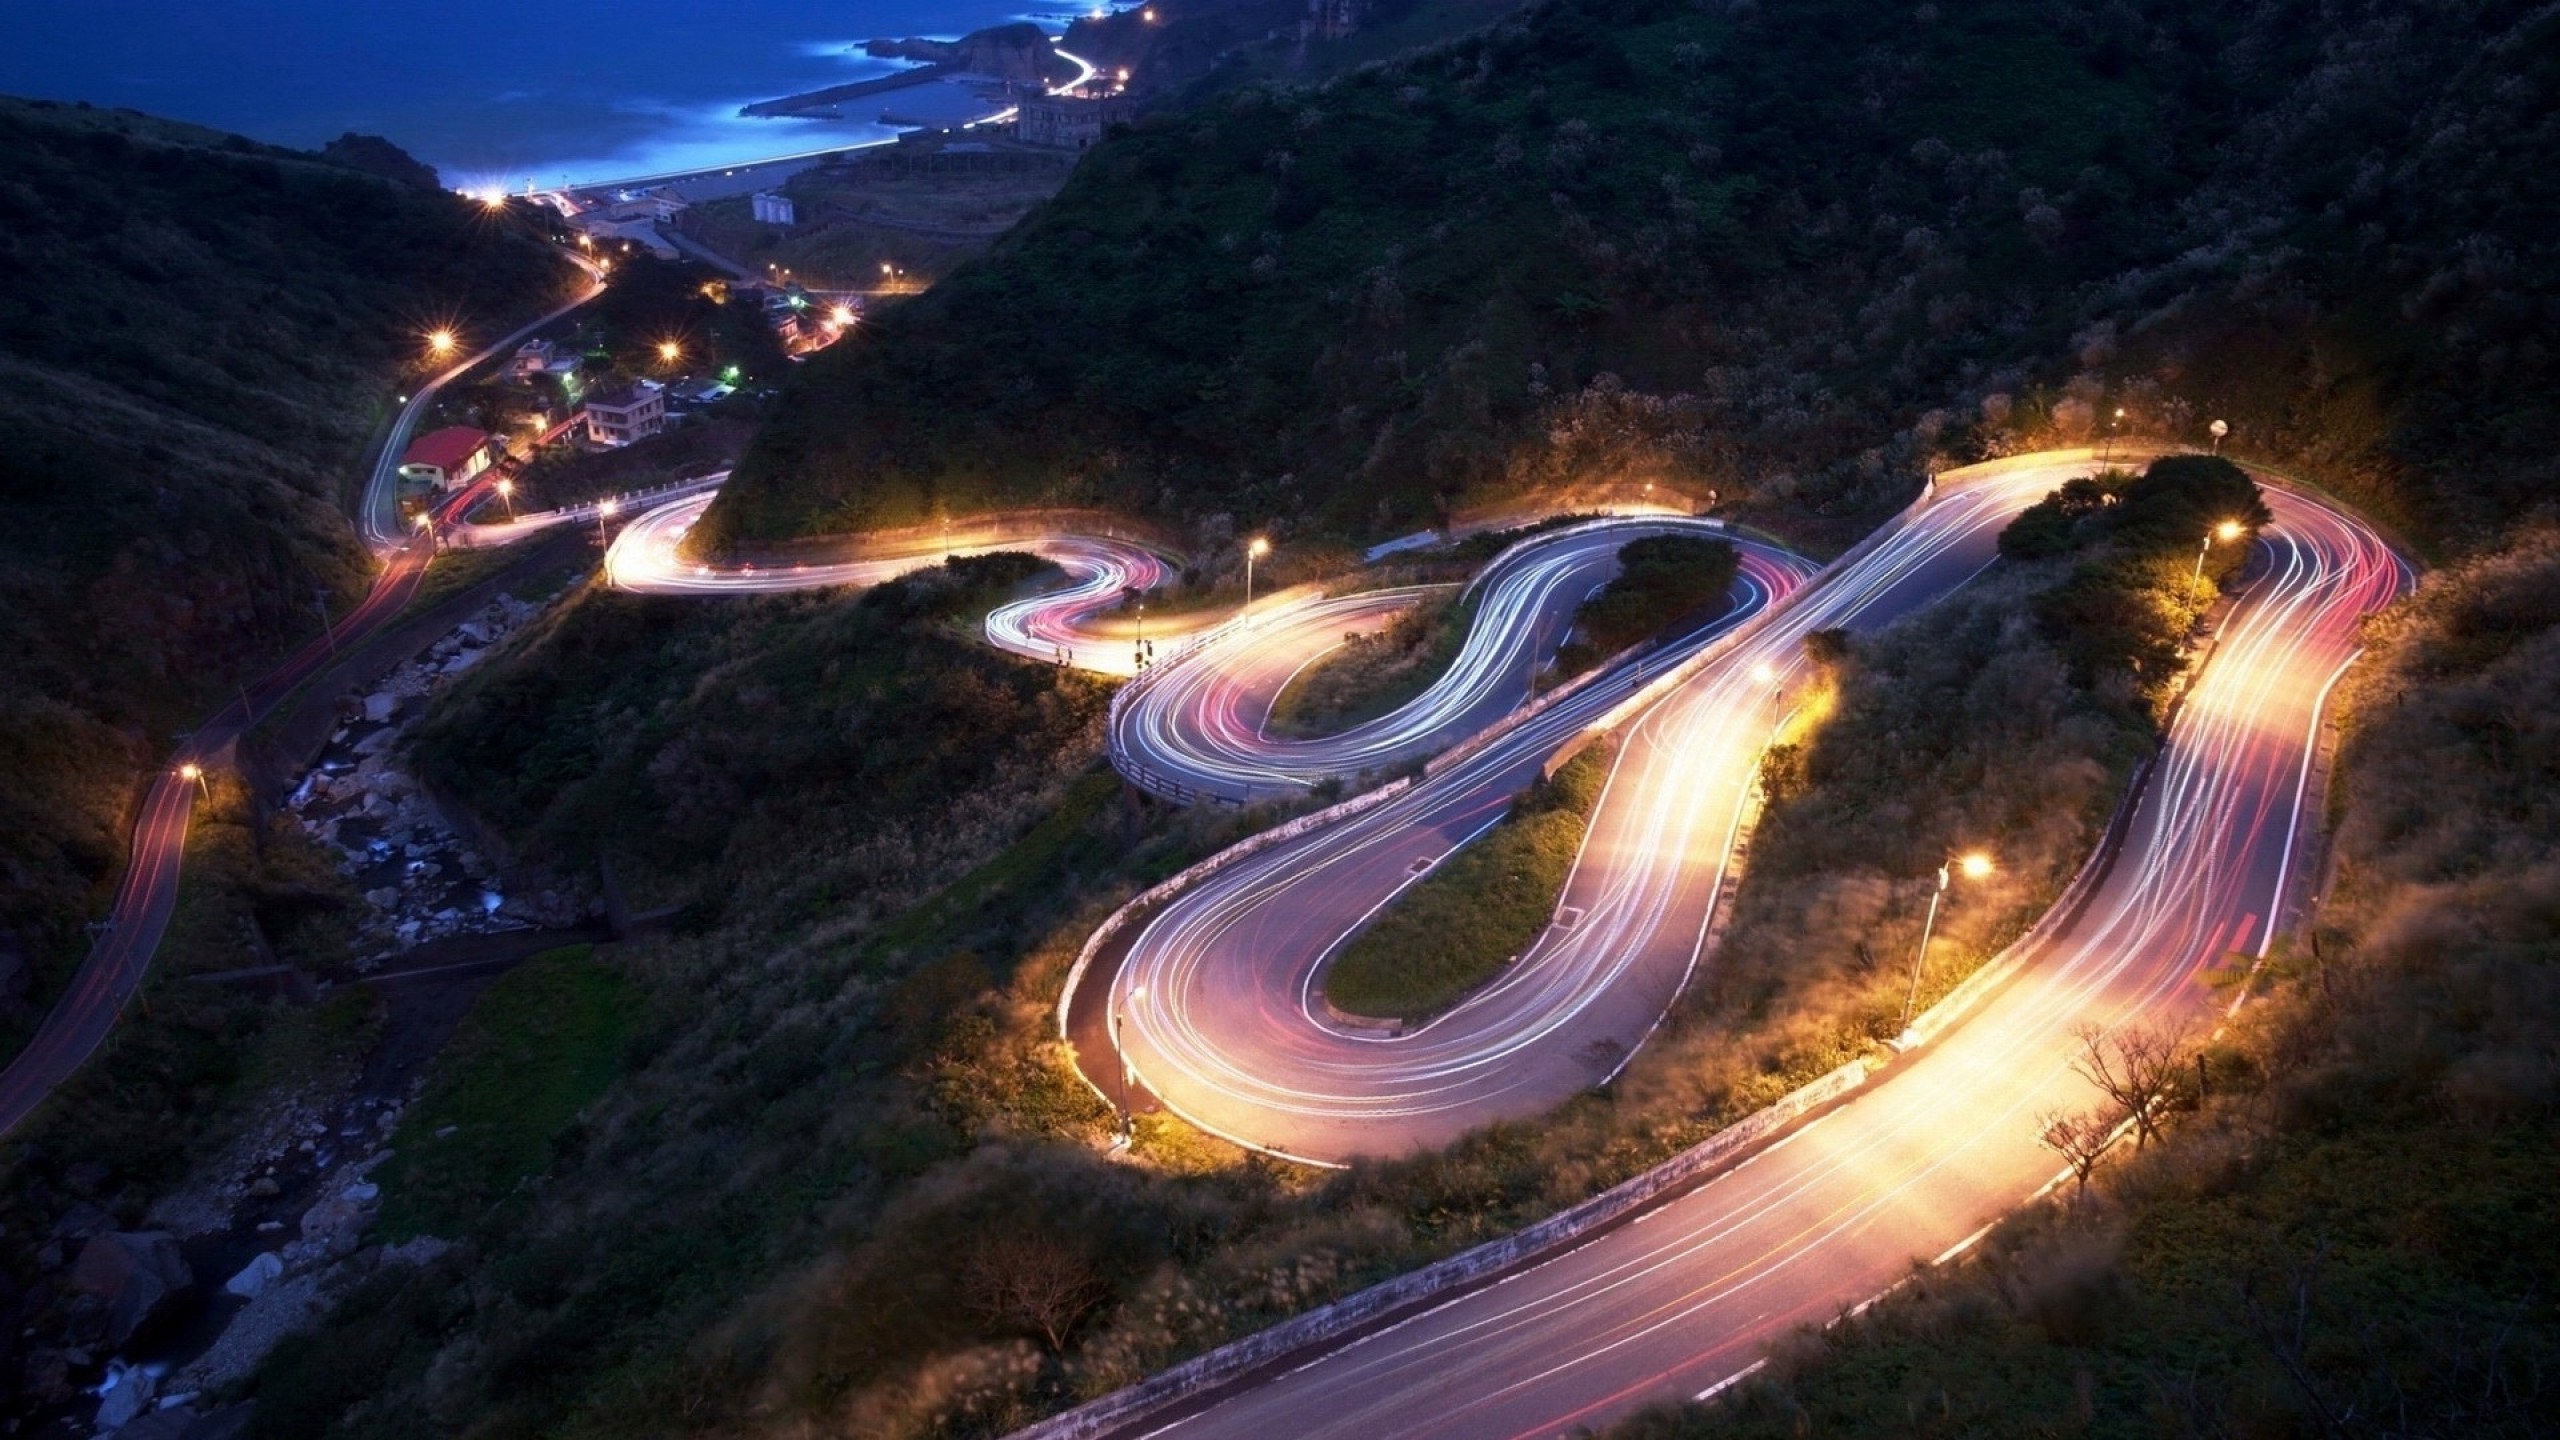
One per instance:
[(1478, 911)]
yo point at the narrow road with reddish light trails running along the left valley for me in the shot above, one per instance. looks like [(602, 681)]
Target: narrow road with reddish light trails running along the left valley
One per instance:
[(147, 893)]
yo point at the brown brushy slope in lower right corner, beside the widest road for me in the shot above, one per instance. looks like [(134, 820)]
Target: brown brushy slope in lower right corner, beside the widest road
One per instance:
[(2354, 1231)]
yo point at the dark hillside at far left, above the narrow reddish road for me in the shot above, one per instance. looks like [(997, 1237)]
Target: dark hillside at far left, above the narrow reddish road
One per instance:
[(198, 334)]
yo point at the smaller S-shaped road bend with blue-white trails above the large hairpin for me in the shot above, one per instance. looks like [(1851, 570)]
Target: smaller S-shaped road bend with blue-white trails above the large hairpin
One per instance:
[(1197, 729)]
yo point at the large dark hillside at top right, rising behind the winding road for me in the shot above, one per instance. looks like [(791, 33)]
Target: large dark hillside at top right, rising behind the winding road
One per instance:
[(1709, 247)]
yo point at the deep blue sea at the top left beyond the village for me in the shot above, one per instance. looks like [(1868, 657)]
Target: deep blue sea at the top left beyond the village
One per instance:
[(485, 91)]
